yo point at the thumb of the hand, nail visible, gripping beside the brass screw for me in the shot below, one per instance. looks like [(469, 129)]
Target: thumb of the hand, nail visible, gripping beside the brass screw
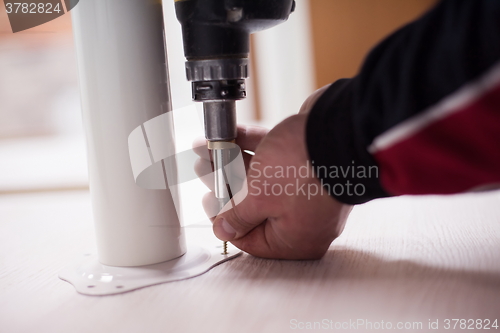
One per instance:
[(236, 221)]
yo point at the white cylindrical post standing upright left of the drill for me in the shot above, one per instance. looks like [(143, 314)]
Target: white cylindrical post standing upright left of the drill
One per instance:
[(124, 83)]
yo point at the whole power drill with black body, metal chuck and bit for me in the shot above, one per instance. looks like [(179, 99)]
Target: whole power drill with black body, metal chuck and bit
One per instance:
[(216, 38)]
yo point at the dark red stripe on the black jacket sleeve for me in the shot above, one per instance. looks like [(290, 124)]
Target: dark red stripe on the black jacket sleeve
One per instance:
[(453, 154)]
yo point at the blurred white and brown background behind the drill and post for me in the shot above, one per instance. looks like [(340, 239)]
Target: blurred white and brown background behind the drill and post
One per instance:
[(41, 137)]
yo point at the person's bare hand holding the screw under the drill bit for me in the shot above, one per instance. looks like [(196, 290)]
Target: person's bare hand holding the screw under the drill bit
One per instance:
[(283, 216)]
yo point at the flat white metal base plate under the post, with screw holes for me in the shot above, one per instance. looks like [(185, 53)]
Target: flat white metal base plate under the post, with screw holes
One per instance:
[(90, 277)]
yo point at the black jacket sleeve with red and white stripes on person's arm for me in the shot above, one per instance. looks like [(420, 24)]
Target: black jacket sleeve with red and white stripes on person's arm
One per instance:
[(423, 114)]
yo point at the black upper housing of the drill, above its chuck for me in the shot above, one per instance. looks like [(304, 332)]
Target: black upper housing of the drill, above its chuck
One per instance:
[(214, 29)]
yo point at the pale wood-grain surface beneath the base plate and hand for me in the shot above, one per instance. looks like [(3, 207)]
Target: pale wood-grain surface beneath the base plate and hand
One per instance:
[(403, 260)]
